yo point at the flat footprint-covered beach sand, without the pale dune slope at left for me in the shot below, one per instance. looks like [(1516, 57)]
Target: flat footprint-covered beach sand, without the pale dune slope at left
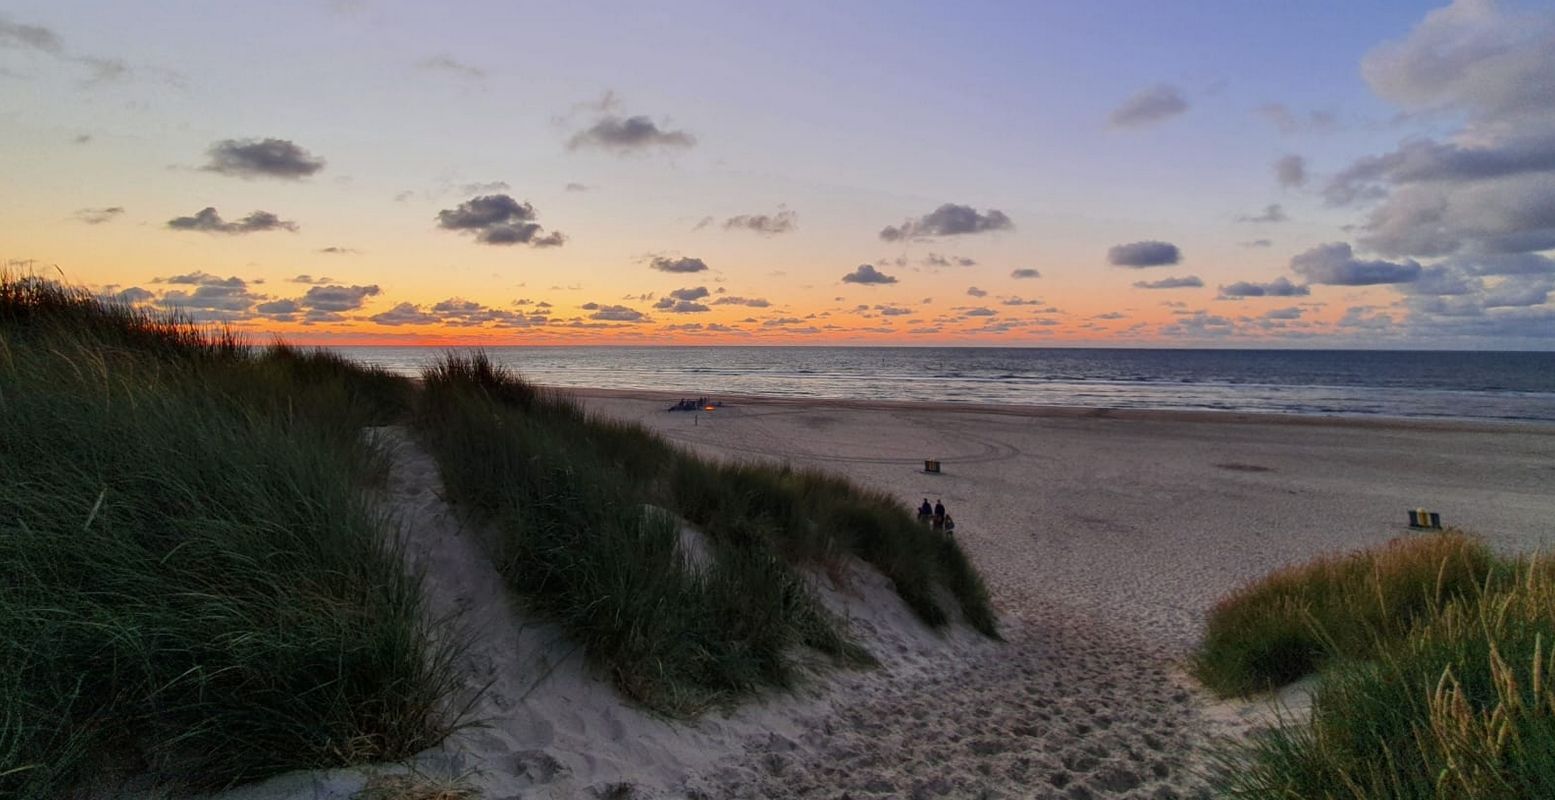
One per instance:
[(1105, 538)]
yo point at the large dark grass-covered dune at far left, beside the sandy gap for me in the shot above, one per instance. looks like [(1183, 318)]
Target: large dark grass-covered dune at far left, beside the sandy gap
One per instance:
[(197, 591)]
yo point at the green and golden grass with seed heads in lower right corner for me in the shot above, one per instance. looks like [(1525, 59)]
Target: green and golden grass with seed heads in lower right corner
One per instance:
[(1434, 661)]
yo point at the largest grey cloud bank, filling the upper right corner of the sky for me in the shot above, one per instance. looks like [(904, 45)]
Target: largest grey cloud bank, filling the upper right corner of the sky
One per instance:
[(1489, 188)]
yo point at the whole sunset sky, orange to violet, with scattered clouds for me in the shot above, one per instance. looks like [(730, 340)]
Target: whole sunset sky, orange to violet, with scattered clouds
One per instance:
[(1088, 174)]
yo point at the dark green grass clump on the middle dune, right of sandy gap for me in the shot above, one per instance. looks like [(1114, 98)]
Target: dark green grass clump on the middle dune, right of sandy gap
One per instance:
[(573, 502)]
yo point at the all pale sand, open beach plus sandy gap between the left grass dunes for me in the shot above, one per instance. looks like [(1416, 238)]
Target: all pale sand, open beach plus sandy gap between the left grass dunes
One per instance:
[(1105, 538)]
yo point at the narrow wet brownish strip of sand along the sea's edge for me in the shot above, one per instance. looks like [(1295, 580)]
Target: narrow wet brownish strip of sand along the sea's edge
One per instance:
[(1095, 413)]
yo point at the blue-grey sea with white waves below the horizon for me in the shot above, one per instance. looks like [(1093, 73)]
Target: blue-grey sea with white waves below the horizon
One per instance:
[(1394, 384)]
